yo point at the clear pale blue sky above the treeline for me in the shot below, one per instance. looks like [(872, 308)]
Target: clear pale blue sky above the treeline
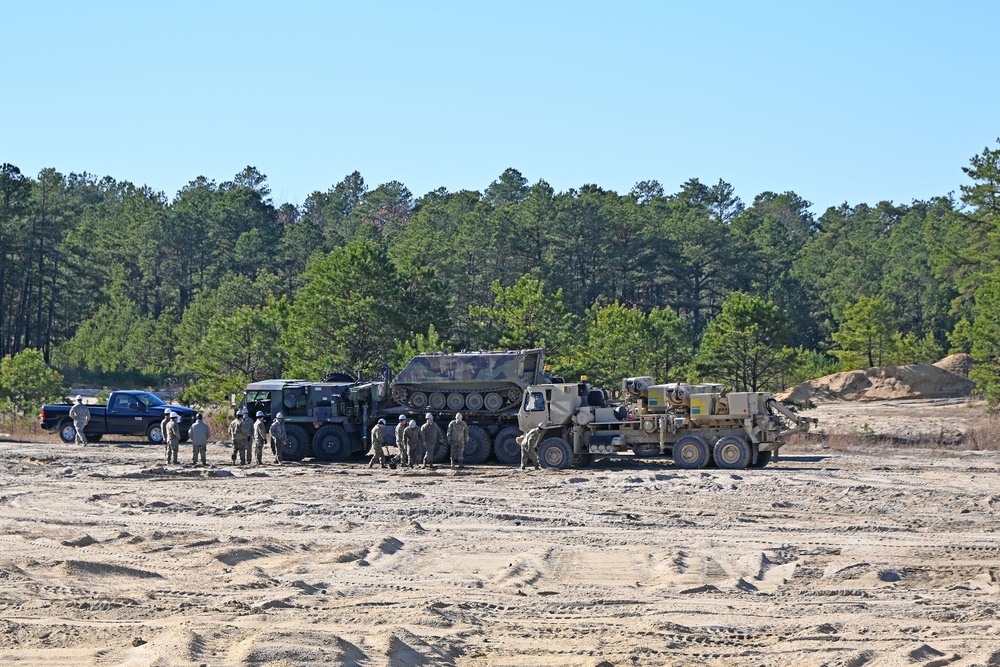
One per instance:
[(838, 101)]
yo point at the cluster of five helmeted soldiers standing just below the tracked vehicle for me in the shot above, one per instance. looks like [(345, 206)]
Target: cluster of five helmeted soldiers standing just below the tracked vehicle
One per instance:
[(420, 443)]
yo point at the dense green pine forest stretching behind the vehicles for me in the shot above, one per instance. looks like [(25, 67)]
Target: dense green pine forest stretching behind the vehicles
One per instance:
[(107, 283)]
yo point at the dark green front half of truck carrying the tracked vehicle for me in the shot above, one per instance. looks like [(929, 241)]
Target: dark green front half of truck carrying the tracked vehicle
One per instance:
[(328, 420)]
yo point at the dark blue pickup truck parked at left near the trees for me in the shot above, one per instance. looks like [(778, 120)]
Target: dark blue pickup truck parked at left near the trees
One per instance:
[(127, 413)]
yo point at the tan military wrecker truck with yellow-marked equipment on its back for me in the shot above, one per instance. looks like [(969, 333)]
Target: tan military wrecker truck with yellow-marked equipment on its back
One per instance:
[(695, 424)]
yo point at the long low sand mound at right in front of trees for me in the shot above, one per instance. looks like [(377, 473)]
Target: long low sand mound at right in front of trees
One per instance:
[(883, 383)]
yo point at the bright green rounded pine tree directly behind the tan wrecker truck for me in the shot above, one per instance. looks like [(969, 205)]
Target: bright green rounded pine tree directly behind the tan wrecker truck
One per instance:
[(744, 346)]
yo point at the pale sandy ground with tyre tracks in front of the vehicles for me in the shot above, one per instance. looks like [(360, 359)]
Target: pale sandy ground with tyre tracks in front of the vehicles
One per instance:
[(824, 558)]
